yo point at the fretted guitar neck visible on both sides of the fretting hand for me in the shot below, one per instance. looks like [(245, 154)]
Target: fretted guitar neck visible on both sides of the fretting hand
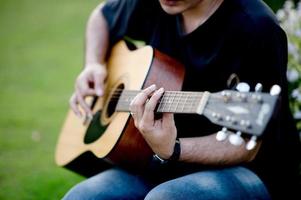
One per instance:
[(171, 101)]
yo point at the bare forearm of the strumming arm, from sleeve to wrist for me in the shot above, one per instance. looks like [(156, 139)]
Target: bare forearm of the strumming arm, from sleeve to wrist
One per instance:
[(97, 38)]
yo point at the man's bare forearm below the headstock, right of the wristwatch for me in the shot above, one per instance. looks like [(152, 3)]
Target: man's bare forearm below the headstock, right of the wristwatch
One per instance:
[(208, 151)]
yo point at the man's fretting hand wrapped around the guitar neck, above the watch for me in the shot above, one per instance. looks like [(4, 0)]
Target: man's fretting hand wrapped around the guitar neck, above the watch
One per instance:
[(161, 133)]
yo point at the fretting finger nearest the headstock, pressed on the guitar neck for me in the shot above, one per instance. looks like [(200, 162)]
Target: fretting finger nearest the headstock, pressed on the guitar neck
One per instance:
[(148, 115)]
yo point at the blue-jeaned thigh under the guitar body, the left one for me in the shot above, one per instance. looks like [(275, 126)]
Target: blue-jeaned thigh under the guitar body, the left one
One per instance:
[(110, 184)]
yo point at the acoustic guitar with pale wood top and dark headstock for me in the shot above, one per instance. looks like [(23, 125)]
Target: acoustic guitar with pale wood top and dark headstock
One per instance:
[(111, 137)]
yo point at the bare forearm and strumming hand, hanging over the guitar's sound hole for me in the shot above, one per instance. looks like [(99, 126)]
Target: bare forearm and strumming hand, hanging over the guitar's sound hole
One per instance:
[(94, 71)]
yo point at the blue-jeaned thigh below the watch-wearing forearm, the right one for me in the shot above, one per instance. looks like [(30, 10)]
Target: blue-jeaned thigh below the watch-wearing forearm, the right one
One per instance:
[(230, 183)]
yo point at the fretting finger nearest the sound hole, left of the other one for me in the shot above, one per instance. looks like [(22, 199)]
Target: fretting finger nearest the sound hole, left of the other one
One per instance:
[(137, 105)]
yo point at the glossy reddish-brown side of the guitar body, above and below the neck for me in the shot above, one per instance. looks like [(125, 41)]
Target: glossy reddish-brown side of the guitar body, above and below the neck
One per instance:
[(131, 151)]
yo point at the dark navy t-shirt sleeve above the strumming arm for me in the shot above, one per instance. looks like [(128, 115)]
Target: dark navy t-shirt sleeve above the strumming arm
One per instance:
[(133, 18)]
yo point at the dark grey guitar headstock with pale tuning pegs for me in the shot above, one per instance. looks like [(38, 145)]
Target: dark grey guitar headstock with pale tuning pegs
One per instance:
[(245, 112)]
